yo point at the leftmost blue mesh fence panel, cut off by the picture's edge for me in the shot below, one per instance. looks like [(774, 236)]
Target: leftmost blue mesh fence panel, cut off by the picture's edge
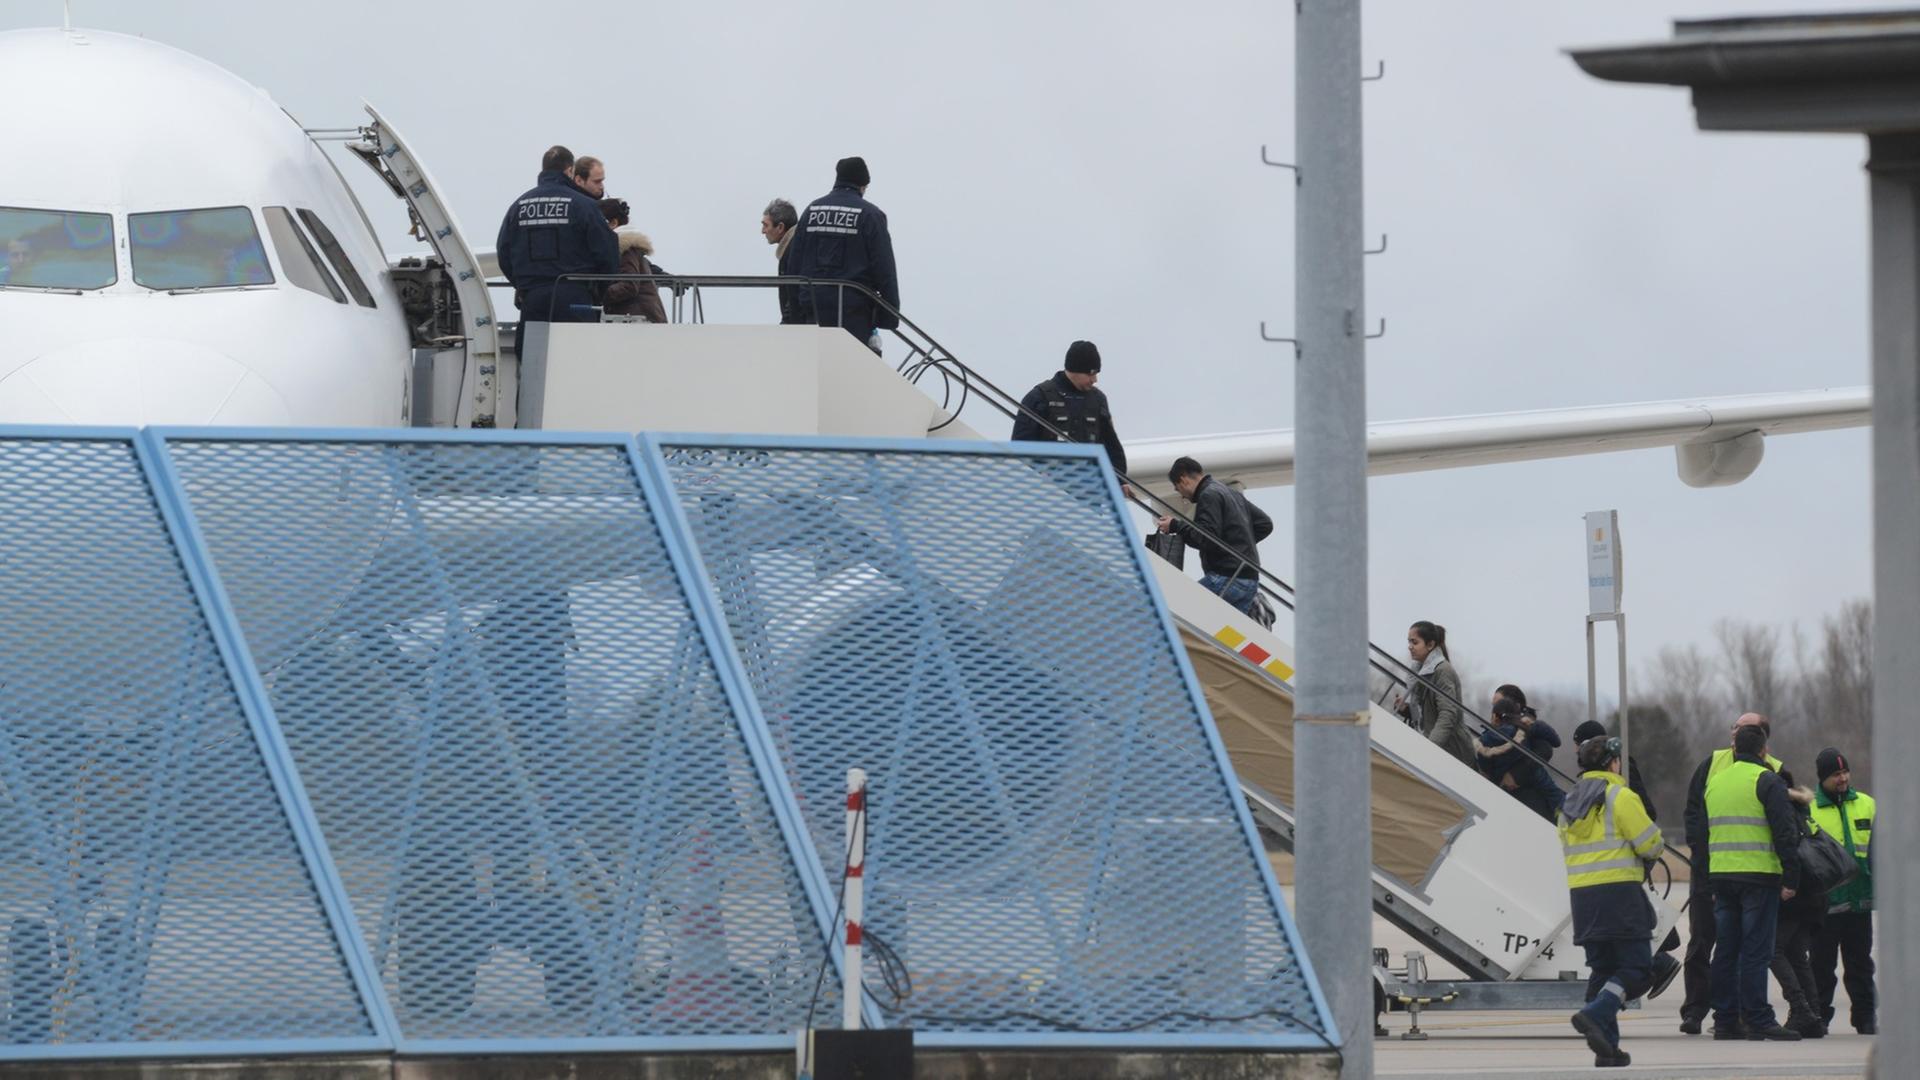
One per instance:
[(153, 891)]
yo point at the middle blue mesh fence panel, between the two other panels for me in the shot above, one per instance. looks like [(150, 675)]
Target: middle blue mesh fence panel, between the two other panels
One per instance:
[(516, 741)]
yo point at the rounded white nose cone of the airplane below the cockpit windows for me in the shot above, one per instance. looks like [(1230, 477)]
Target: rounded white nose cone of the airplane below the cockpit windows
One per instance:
[(139, 381)]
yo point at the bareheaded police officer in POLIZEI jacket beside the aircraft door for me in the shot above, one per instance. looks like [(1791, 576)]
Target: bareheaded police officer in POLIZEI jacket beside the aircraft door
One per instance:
[(550, 232)]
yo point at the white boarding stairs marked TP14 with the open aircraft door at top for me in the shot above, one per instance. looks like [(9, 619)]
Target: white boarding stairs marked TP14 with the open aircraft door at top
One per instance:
[(1468, 871)]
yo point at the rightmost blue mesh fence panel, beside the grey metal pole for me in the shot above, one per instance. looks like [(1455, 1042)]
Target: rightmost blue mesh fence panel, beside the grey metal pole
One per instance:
[(1053, 841)]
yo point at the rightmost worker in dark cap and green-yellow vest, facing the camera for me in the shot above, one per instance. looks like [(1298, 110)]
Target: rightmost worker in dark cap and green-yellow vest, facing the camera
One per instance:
[(1848, 933)]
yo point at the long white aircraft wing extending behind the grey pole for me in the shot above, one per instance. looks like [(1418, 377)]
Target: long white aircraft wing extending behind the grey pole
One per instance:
[(1719, 441)]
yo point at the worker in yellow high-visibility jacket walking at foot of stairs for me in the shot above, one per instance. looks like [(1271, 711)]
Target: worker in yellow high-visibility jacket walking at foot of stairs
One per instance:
[(1610, 841)]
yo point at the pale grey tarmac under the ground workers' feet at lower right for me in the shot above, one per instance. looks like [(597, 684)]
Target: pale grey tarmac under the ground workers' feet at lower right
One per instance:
[(1545, 1044)]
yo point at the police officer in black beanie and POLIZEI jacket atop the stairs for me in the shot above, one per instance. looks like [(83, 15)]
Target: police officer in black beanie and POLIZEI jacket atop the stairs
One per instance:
[(846, 237)]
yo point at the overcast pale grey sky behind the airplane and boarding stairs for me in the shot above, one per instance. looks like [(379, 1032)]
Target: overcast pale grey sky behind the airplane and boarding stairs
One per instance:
[(1090, 170)]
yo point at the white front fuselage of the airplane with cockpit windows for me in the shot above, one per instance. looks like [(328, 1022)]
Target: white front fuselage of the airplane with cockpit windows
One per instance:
[(108, 141)]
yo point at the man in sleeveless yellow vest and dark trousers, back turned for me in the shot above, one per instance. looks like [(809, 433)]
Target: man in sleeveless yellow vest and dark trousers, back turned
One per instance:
[(1754, 862)]
